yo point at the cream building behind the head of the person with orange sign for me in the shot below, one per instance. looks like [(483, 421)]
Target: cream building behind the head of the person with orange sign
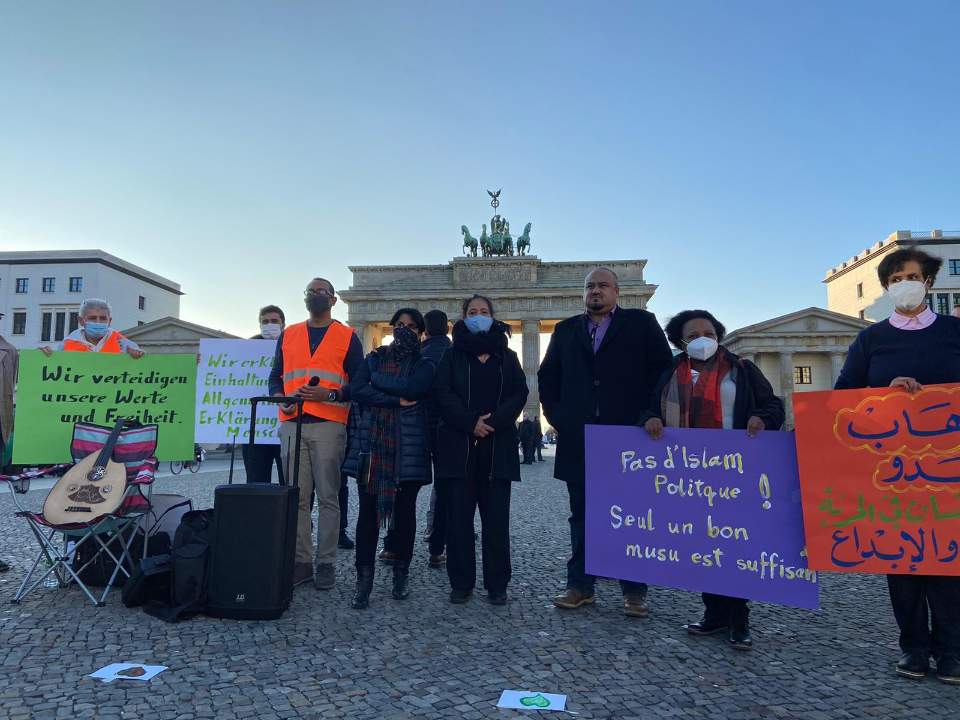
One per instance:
[(854, 289)]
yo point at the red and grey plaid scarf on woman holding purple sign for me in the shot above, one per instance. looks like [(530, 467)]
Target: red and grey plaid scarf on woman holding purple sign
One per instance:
[(684, 403)]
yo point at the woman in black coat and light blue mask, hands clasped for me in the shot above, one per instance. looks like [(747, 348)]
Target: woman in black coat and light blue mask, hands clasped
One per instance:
[(480, 390)]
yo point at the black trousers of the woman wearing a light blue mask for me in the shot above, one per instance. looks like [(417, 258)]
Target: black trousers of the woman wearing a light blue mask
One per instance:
[(492, 497)]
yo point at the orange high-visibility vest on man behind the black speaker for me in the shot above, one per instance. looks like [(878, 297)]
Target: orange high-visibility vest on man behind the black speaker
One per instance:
[(326, 364)]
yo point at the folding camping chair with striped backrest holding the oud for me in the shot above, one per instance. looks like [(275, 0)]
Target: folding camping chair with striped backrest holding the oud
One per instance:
[(110, 534)]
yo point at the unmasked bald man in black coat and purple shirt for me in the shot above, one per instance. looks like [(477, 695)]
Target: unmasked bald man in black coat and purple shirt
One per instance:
[(600, 368)]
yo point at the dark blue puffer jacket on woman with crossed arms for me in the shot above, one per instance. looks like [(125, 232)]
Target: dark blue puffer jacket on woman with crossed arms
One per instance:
[(414, 382)]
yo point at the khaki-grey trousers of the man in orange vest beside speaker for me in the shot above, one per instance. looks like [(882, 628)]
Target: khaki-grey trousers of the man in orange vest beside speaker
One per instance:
[(322, 446)]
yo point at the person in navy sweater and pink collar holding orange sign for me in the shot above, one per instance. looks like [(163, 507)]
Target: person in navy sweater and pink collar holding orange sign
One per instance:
[(914, 347)]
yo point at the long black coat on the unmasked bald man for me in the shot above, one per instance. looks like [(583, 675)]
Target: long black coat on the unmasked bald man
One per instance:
[(609, 387)]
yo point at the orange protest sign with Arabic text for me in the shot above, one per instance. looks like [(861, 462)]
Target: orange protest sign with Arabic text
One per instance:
[(880, 479)]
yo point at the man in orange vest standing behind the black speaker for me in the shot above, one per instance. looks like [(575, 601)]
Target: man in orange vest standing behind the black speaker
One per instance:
[(328, 350)]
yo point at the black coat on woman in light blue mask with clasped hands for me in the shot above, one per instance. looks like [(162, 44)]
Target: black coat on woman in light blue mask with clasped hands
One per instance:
[(457, 421)]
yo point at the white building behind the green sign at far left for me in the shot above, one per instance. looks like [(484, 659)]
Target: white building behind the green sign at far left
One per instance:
[(41, 292)]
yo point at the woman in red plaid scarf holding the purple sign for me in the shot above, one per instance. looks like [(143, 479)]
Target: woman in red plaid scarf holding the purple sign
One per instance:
[(710, 387)]
